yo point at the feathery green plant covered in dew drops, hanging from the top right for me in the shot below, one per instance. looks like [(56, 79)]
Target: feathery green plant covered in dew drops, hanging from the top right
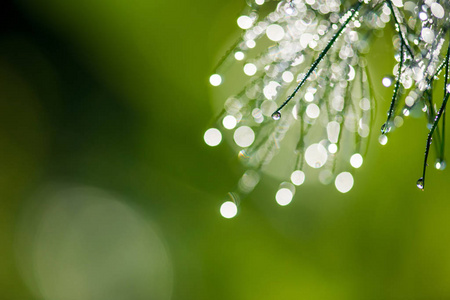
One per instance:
[(308, 95)]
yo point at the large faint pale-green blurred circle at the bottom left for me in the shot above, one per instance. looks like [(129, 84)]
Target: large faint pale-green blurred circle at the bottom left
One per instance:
[(72, 237)]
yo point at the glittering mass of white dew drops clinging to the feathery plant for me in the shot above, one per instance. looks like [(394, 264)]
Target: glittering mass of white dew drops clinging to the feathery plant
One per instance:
[(273, 74)]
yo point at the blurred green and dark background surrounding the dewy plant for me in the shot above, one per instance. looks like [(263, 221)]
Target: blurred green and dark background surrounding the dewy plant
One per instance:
[(107, 190)]
